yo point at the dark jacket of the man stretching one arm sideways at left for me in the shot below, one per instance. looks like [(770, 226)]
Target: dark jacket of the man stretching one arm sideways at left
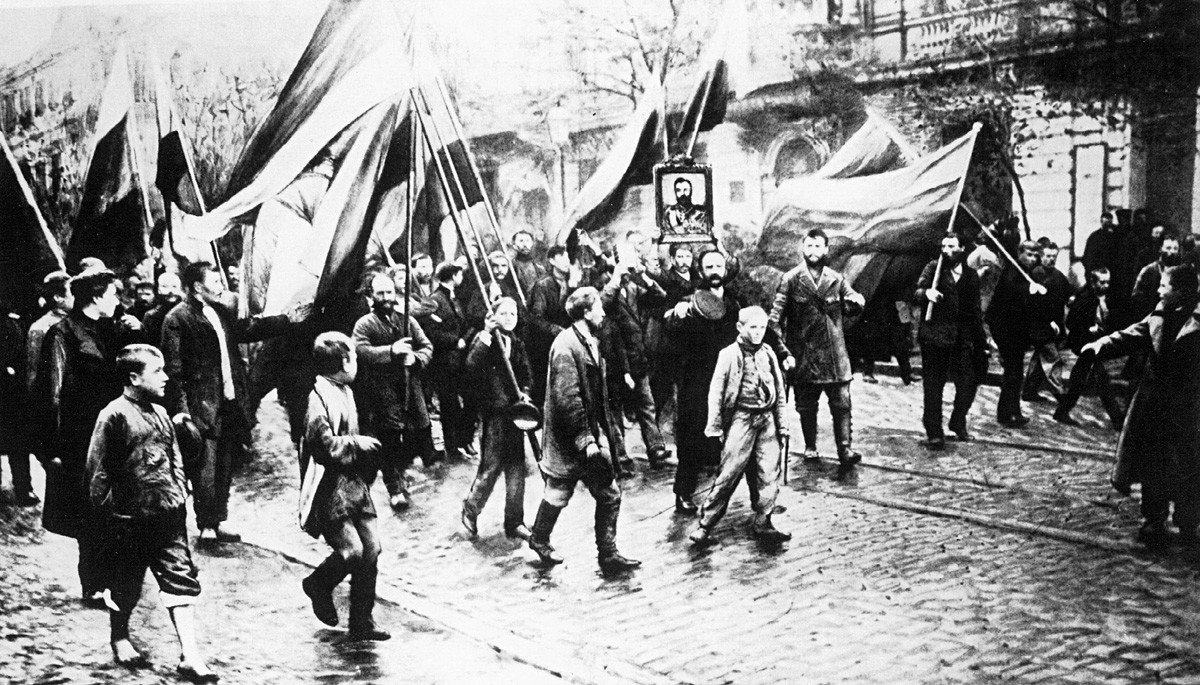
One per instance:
[(193, 353)]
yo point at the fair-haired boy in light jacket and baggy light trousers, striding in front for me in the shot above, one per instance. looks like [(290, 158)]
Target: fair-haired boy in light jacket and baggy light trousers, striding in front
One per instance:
[(746, 407)]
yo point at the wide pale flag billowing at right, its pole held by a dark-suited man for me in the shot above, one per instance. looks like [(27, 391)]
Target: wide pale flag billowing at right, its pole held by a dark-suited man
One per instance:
[(873, 219)]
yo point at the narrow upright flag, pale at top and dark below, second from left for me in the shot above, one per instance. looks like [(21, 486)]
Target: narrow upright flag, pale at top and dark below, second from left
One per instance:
[(112, 220)]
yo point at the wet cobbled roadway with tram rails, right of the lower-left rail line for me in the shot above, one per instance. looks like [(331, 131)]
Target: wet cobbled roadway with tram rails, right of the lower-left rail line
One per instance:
[(1006, 560)]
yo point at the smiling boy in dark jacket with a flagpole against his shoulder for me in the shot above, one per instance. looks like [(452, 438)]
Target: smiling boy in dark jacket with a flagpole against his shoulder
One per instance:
[(503, 443)]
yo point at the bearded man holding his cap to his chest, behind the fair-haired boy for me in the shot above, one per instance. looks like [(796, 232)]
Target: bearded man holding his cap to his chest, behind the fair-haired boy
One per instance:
[(698, 329)]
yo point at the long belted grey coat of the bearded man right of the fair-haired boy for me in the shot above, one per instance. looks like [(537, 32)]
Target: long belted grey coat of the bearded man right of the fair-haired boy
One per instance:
[(807, 321)]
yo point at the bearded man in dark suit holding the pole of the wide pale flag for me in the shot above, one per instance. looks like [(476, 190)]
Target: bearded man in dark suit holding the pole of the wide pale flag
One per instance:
[(952, 340)]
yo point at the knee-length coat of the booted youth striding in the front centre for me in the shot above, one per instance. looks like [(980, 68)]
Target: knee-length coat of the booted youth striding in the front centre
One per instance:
[(577, 407)]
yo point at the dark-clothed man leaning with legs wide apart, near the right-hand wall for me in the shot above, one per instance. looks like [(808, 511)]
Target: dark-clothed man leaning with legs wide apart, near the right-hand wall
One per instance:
[(1090, 319)]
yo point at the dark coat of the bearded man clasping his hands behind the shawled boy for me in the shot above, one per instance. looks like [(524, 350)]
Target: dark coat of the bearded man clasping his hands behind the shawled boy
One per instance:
[(391, 396)]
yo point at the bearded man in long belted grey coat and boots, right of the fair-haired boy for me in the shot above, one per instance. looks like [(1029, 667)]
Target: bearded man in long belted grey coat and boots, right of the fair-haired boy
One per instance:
[(807, 321)]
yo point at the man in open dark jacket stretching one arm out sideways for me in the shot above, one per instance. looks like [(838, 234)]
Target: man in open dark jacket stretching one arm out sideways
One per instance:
[(208, 384)]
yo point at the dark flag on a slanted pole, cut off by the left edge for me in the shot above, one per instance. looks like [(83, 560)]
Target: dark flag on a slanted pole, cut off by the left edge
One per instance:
[(28, 249)]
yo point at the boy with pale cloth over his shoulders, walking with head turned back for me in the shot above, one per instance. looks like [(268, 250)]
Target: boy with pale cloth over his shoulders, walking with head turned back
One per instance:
[(341, 508)]
